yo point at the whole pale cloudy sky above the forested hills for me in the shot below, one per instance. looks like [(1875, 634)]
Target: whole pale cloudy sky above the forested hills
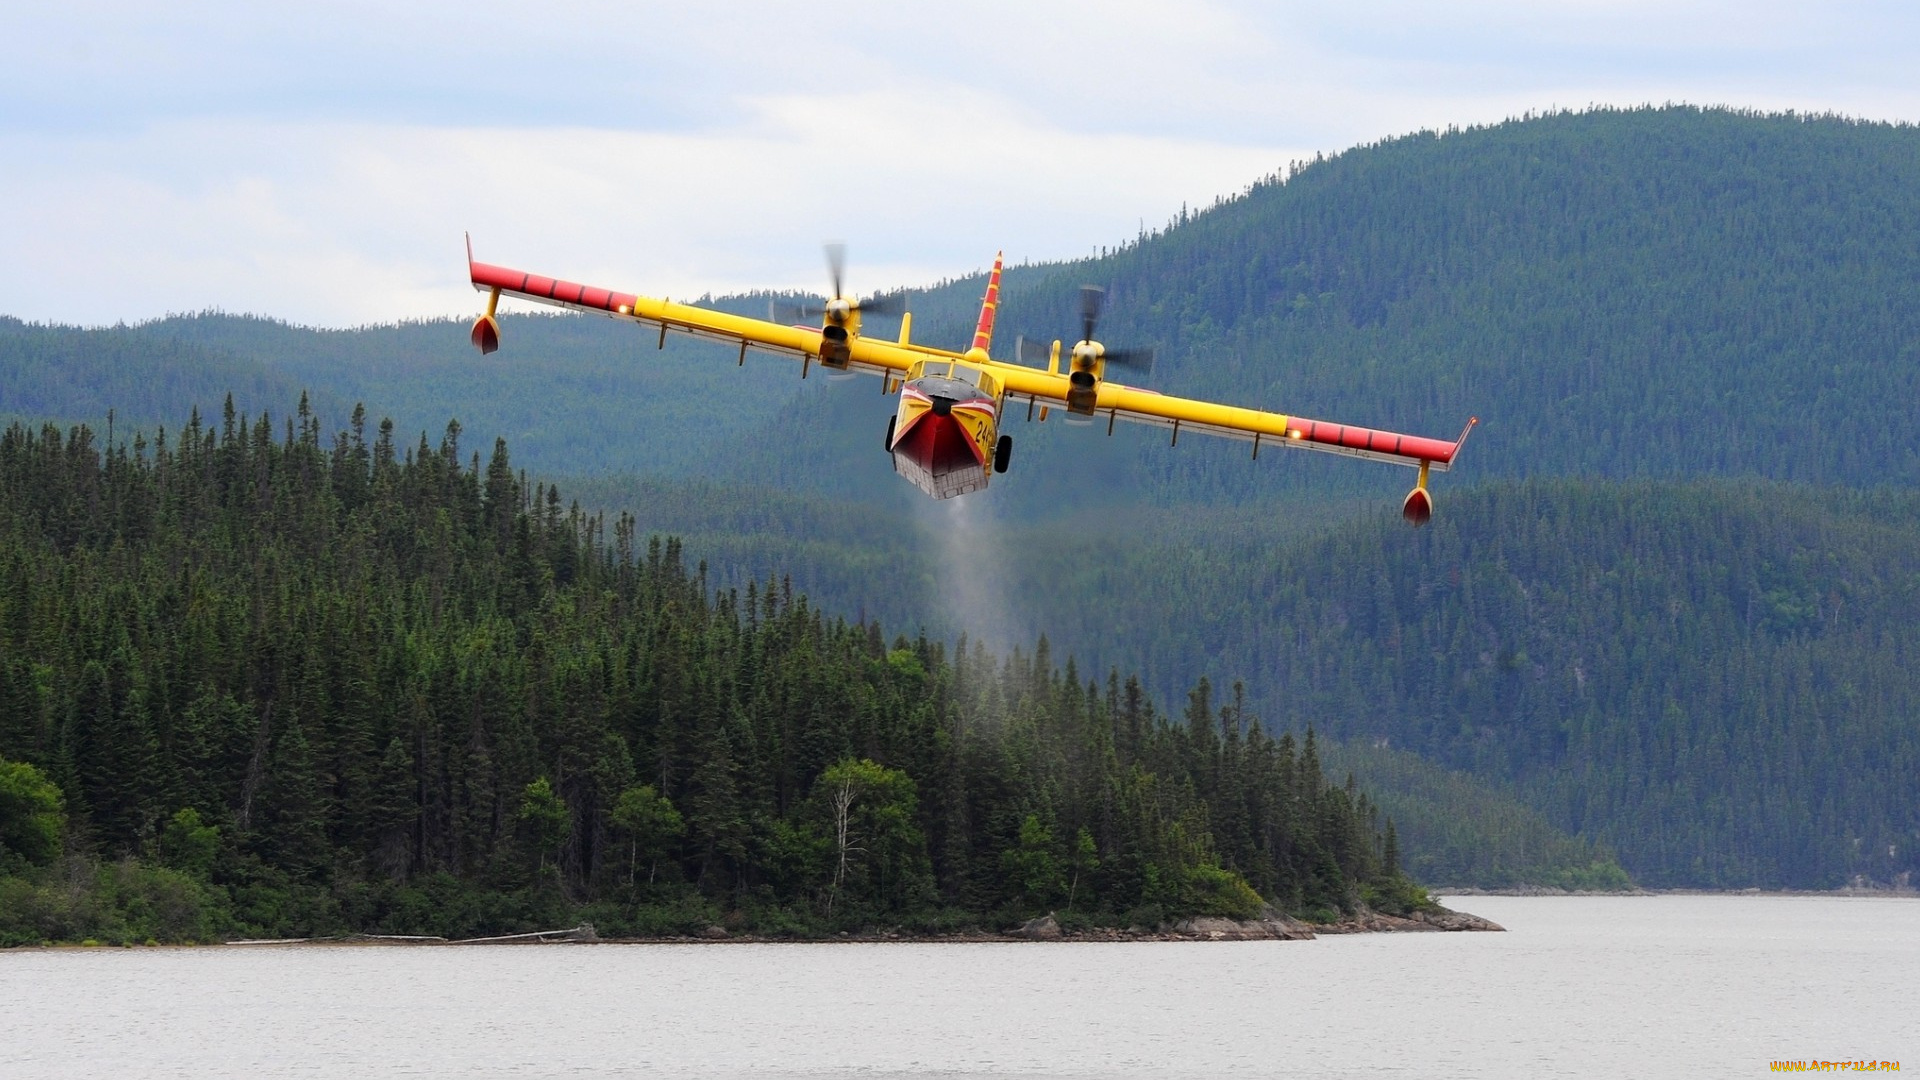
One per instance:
[(320, 162)]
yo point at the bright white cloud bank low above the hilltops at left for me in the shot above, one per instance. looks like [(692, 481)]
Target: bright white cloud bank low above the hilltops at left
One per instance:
[(345, 224)]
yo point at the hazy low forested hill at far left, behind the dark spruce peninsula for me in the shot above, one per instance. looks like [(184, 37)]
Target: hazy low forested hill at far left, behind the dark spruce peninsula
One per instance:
[(577, 395)]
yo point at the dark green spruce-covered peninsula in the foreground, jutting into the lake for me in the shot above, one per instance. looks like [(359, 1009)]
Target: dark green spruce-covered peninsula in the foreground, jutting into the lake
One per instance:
[(256, 681)]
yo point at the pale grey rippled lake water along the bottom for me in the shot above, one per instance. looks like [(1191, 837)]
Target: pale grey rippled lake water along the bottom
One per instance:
[(1579, 987)]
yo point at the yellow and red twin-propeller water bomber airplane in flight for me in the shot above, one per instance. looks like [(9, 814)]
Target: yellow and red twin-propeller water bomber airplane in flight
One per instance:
[(946, 435)]
